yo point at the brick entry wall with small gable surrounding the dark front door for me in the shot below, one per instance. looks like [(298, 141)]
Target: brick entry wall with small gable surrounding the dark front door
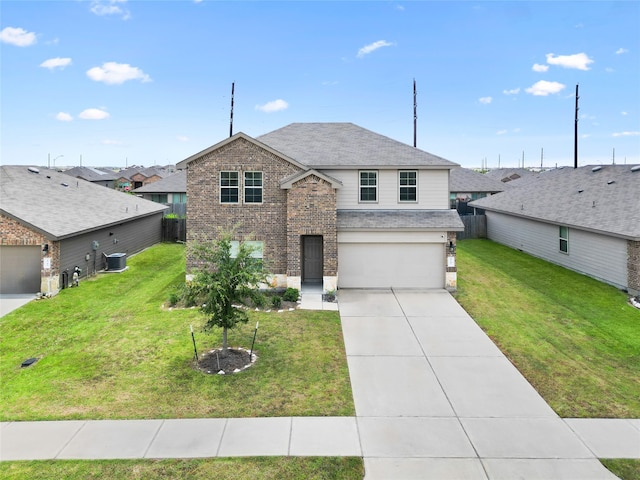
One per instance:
[(311, 210)]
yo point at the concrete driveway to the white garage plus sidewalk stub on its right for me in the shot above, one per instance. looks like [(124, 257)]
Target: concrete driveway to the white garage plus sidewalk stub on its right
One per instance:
[(435, 398)]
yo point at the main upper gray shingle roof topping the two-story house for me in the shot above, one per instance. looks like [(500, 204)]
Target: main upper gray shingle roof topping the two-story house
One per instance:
[(339, 145)]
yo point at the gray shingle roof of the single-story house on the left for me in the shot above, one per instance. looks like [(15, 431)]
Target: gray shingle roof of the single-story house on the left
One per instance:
[(42, 202)]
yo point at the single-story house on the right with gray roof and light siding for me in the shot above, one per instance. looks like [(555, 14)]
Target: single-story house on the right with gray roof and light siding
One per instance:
[(586, 219)]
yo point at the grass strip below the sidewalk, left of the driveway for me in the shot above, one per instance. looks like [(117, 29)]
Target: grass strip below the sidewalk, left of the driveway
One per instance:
[(265, 468)]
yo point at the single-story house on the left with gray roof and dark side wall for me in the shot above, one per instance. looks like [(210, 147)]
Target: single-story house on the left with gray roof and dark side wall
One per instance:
[(50, 223)]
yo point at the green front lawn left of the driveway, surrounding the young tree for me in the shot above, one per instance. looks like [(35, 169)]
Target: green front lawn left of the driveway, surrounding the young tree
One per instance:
[(108, 350)]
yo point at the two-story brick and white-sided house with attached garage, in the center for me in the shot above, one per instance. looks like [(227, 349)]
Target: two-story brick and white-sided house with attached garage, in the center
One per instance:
[(329, 203)]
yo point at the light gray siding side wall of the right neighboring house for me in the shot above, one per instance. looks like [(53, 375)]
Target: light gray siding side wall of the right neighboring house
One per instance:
[(599, 256)]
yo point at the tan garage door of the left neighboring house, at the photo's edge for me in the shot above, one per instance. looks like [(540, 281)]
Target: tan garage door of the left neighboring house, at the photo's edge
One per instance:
[(20, 269)]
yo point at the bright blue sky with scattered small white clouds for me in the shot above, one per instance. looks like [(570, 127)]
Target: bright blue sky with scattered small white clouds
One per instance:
[(116, 82)]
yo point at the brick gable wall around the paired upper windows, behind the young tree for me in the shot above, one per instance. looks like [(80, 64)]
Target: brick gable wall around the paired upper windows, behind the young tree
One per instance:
[(266, 222)]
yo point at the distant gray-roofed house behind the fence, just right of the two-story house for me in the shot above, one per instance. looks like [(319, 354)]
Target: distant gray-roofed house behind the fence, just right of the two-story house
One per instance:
[(466, 185)]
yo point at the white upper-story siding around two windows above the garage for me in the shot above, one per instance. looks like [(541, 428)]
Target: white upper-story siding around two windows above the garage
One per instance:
[(433, 190)]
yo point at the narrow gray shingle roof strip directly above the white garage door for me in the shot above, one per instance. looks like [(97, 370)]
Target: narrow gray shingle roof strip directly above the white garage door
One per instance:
[(400, 219)]
